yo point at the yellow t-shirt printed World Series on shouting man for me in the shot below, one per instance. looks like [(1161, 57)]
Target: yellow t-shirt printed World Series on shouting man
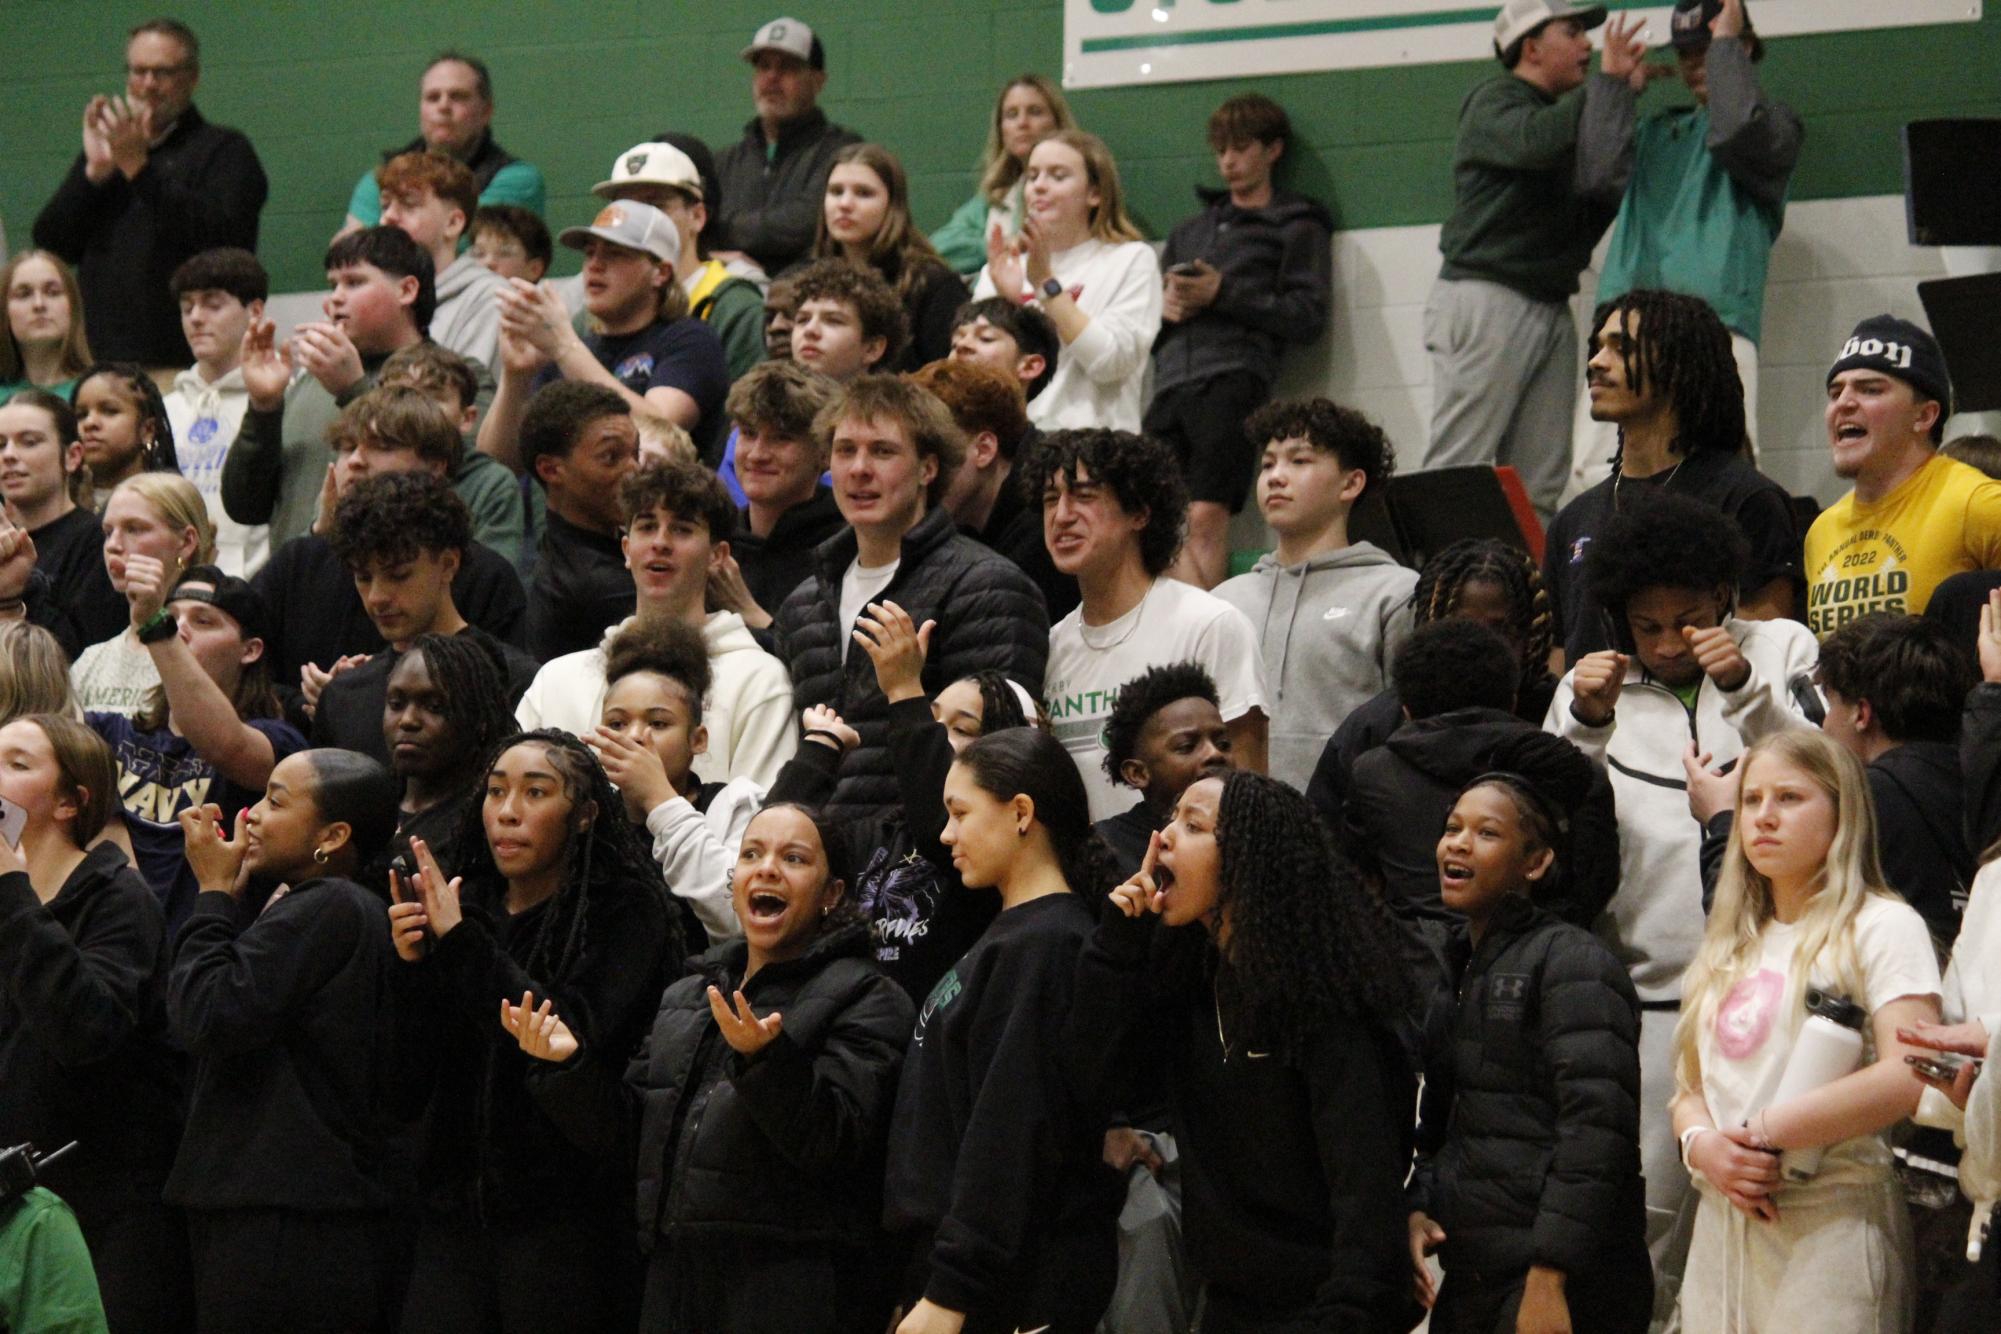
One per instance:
[(1892, 555)]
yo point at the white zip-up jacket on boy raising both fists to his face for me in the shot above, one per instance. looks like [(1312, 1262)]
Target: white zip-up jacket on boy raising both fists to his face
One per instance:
[(1656, 919)]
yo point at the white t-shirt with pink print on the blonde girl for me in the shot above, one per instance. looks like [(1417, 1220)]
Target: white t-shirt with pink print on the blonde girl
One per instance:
[(1746, 1045)]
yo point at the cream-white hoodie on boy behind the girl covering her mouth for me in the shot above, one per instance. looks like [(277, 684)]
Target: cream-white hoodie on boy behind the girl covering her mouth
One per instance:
[(747, 713)]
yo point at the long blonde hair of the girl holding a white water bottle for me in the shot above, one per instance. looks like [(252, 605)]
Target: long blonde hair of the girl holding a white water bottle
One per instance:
[(1744, 905)]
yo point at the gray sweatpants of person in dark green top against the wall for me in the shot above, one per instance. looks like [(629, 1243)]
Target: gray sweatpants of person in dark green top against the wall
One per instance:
[(1504, 375)]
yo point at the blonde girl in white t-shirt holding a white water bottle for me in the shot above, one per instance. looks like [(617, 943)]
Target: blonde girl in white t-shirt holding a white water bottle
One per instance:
[(1800, 907)]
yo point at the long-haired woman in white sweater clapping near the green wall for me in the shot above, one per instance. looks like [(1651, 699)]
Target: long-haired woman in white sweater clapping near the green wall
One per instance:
[(1098, 281)]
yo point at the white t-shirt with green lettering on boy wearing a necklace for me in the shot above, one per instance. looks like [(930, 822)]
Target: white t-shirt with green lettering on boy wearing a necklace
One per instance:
[(1088, 665)]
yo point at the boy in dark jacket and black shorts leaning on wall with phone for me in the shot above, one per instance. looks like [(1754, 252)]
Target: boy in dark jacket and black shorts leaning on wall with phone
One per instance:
[(1246, 277)]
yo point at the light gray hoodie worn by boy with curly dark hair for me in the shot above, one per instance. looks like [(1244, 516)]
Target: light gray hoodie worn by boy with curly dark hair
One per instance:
[(1328, 629)]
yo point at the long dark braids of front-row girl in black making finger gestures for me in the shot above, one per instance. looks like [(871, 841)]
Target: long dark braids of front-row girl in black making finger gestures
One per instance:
[(603, 857)]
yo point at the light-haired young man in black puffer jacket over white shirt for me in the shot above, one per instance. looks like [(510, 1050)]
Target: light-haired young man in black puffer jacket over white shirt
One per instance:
[(893, 449)]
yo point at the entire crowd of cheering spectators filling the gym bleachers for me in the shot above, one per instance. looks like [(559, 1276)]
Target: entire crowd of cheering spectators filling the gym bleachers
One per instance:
[(737, 791)]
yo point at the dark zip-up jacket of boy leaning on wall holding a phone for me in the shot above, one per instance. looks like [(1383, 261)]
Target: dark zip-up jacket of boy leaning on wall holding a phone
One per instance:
[(1278, 287)]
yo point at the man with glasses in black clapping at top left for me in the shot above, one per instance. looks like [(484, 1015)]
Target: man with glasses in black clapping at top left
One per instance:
[(153, 187)]
